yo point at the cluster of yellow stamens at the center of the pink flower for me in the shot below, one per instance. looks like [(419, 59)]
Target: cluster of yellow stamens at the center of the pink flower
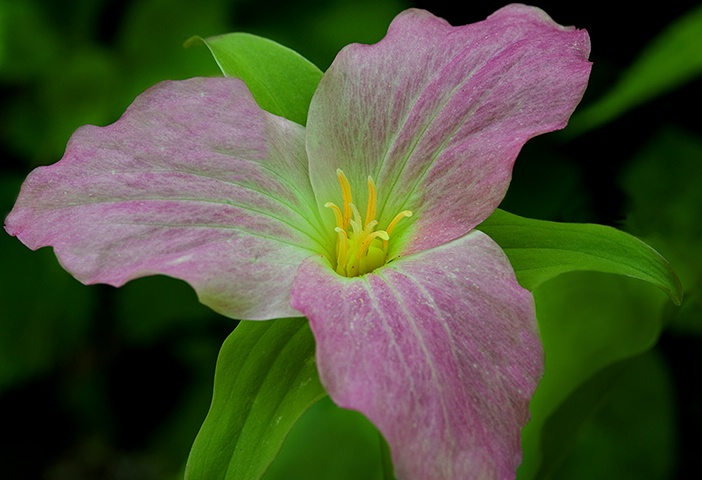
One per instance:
[(360, 248)]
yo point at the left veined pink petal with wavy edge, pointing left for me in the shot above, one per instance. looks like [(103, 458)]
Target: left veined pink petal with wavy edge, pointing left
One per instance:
[(194, 181)]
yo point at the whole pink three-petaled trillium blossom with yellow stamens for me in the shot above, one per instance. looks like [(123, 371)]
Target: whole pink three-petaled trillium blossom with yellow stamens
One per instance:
[(363, 221)]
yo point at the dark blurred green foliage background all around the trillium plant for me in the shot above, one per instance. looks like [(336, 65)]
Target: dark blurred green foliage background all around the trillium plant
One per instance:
[(114, 384)]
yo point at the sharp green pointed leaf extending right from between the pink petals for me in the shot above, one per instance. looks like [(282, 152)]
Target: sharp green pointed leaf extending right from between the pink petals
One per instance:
[(540, 250)]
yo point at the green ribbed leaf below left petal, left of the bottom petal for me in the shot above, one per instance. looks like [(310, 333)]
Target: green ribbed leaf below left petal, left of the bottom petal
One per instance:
[(266, 377)]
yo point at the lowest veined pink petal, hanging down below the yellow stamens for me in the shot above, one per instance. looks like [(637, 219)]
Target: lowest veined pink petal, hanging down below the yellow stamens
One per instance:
[(439, 350)]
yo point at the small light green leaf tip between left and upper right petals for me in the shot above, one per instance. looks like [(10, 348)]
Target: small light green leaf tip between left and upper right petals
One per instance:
[(281, 80)]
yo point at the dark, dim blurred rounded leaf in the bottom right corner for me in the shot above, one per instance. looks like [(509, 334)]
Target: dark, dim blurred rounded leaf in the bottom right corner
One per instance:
[(616, 444)]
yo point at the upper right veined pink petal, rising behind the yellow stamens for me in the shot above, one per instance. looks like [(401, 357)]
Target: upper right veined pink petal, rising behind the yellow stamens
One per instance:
[(437, 114)]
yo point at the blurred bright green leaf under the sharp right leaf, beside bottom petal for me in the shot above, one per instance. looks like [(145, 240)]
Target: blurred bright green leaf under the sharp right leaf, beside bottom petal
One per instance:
[(589, 322)]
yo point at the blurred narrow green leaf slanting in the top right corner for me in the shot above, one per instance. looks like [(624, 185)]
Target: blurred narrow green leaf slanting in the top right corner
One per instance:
[(672, 59)]
